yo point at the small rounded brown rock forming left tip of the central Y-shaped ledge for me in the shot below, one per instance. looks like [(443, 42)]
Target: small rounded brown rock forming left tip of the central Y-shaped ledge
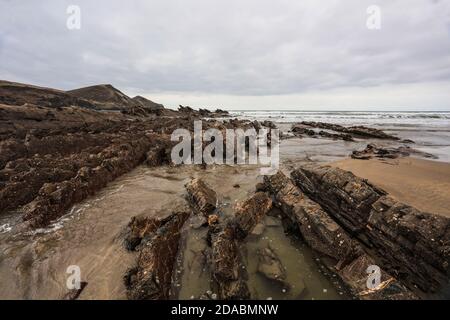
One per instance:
[(202, 198)]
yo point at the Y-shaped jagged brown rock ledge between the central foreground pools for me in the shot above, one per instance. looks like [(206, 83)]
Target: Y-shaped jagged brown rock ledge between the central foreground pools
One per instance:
[(225, 235)]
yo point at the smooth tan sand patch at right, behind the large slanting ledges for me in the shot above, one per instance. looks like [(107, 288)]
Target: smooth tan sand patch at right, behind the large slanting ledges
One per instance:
[(422, 184)]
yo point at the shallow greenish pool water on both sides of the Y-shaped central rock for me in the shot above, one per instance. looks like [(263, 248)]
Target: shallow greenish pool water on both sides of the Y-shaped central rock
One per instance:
[(303, 280)]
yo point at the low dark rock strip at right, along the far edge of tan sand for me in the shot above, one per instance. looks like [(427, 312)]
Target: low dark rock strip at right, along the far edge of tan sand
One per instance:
[(374, 151)]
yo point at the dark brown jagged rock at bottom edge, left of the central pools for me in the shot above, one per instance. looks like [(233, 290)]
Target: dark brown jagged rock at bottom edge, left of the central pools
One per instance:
[(151, 278)]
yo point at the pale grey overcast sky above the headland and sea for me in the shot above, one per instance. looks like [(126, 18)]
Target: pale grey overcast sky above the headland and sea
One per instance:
[(248, 54)]
